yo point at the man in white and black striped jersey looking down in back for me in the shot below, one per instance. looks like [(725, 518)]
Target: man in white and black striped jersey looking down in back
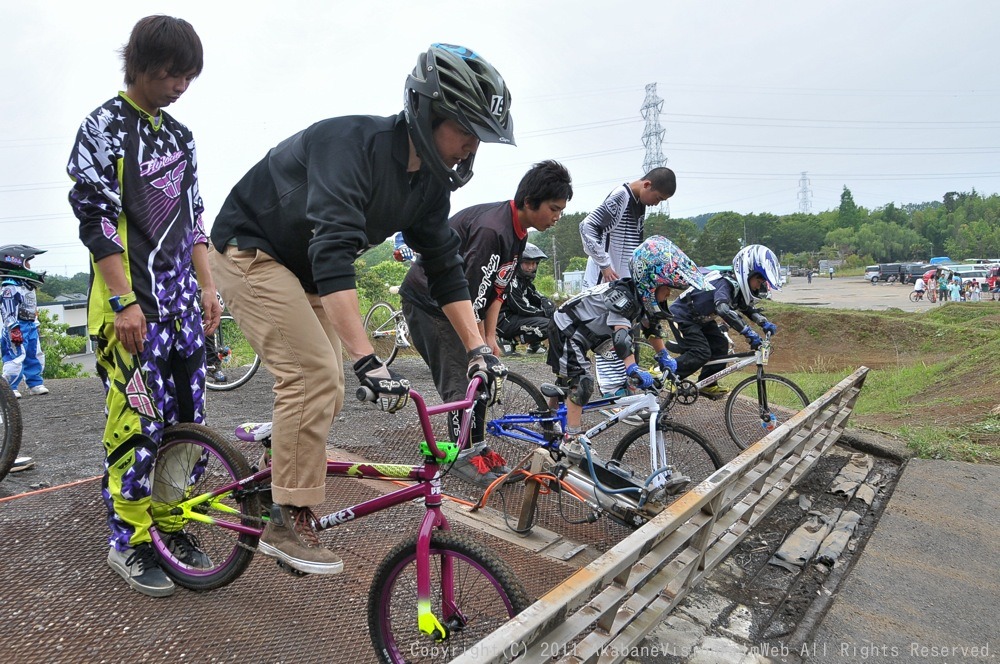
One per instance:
[(610, 234)]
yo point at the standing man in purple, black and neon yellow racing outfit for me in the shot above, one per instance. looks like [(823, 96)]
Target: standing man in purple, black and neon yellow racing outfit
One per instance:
[(136, 195)]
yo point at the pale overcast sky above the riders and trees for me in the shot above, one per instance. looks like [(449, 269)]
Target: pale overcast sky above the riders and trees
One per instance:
[(897, 100)]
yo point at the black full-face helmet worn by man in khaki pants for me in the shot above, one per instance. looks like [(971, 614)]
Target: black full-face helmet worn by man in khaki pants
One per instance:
[(455, 83)]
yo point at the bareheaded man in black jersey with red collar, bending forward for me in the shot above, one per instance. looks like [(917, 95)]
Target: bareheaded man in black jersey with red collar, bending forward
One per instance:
[(493, 236)]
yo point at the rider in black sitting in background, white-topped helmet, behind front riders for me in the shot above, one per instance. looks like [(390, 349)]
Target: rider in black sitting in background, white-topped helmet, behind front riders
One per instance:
[(525, 313)]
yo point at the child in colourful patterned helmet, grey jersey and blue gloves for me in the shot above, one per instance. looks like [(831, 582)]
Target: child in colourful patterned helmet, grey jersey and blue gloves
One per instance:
[(601, 319)]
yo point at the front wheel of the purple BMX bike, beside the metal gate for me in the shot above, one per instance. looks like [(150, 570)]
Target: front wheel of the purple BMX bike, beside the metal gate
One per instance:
[(485, 594)]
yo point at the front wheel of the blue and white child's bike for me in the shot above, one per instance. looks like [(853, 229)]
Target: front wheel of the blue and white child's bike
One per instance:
[(688, 453)]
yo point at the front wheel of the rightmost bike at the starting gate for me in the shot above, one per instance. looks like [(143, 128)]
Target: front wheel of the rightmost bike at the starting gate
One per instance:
[(754, 401)]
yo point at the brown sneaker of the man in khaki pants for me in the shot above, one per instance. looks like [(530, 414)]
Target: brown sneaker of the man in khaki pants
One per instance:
[(290, 536)]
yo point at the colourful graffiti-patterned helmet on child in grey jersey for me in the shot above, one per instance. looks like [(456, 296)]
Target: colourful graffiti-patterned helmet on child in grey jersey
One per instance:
[(660, 262)]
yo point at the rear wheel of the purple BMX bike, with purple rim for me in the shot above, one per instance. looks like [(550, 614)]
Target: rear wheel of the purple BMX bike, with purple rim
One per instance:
[(193, 460)]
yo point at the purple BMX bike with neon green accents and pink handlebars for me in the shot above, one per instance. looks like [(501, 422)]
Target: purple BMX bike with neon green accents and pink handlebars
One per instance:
[(436, 587)]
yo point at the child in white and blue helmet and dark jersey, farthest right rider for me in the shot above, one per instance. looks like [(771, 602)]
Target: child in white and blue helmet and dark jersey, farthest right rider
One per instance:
[(755, 270)]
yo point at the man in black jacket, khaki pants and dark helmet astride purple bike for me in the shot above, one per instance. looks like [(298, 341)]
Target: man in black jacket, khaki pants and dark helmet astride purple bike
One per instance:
[(286, 239)]
